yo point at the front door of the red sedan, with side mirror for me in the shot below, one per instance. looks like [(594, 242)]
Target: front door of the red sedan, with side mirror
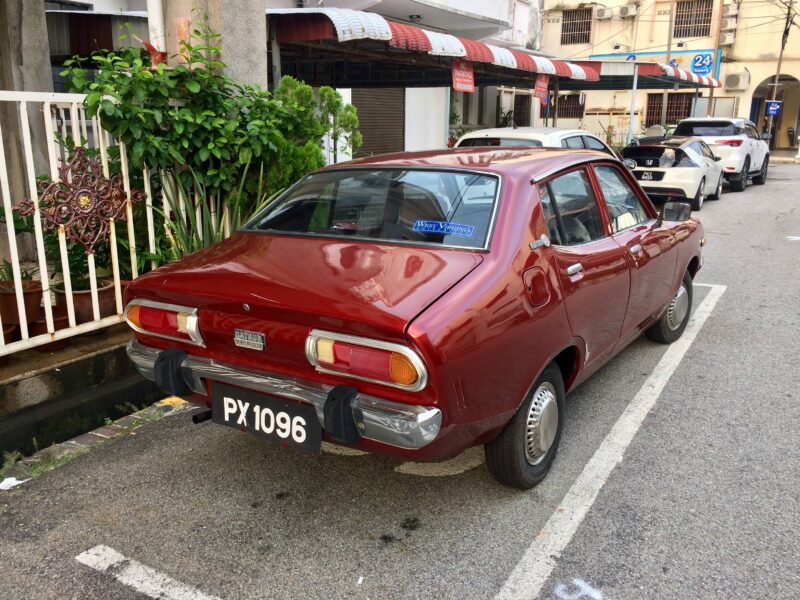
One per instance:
[(648, 247)]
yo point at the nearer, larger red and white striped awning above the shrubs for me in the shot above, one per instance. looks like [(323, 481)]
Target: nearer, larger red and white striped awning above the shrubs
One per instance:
[(350, 25)]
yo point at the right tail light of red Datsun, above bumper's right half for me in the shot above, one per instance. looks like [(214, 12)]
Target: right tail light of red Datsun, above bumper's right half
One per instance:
[(389, 364)]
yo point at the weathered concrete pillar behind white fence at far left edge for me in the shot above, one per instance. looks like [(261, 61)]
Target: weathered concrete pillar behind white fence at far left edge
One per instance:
[(24, 66)]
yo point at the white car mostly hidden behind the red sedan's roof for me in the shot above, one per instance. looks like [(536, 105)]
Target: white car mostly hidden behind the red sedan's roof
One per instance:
[(553, 137)]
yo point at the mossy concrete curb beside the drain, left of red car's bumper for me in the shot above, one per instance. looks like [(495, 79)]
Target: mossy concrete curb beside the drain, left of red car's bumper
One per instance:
[(65, 452)]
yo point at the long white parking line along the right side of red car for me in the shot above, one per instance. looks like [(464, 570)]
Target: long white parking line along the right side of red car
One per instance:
[(539, 560)]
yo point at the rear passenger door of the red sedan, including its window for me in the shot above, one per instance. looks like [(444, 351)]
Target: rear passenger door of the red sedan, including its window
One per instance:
[(592, 268)]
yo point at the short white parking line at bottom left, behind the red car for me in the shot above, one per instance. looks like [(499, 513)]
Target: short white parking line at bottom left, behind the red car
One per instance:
[(138, 576)]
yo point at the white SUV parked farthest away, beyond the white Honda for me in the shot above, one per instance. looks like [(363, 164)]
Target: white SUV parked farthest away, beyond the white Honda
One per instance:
[(743, 152)]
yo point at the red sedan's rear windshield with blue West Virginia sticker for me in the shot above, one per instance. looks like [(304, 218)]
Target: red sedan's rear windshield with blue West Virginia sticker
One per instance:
[(432, 207)]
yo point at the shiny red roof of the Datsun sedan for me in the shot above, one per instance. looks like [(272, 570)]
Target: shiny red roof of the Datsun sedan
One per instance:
[(531, 163)]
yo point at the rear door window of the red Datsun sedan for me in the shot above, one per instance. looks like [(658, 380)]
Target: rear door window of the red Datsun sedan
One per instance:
[(576, 208)]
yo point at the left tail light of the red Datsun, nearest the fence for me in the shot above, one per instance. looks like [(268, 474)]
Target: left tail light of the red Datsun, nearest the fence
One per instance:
[(168, 321)]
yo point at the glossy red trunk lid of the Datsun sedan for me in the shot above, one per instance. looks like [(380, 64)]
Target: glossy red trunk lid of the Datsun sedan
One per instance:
[(292, 284)]
